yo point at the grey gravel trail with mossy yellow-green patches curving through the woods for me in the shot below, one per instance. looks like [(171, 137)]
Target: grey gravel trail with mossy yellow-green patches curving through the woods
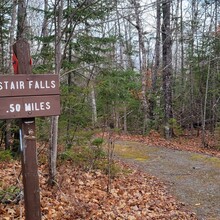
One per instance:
[(192, 178)]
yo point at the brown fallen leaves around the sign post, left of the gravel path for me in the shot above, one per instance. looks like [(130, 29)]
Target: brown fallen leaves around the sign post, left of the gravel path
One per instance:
[(83, 195)]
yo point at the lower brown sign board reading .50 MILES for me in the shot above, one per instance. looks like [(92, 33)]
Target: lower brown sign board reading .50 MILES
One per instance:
[(29, 106)]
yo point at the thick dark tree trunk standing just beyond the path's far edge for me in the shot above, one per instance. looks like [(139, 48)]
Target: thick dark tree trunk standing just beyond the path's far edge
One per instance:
[(167, 68)]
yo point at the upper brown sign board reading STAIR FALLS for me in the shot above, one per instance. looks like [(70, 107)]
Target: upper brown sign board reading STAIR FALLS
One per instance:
[(28, 85)]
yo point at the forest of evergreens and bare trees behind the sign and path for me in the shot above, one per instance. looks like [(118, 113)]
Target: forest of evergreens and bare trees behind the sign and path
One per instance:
[(129, 67)]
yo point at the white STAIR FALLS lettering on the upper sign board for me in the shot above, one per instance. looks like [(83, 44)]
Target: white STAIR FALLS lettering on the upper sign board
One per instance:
[(20, 85)]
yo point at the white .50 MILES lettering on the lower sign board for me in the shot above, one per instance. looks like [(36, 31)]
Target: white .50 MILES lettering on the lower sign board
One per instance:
[(29, 107)]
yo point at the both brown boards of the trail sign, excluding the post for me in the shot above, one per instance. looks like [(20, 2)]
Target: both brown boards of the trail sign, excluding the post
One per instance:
[(26, 96)]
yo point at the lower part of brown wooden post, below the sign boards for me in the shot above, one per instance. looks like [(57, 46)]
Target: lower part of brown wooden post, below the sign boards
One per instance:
[(30, 170)]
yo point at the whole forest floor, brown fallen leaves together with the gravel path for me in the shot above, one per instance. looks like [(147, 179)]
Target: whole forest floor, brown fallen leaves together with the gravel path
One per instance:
[(186, 189)]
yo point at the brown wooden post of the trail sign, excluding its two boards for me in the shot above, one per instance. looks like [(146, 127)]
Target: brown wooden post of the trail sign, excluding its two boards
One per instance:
[(28, 143)]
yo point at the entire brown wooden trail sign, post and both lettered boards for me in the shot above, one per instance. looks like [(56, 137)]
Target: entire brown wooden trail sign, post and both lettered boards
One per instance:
[(27, 96)]
